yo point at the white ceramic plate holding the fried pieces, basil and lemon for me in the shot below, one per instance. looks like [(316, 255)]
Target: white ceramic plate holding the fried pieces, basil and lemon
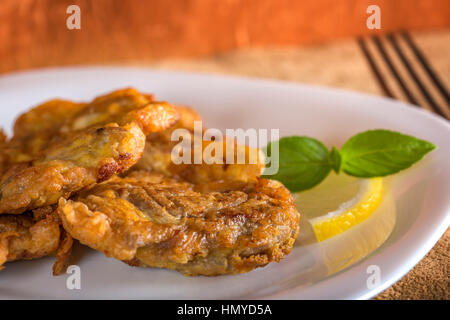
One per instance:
[(421, 193)]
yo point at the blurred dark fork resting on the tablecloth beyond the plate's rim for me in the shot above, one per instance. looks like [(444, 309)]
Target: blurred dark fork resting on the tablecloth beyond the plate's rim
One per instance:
[(413, 88)]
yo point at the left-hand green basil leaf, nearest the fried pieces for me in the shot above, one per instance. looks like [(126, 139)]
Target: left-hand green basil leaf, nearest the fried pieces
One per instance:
[(303, 162)]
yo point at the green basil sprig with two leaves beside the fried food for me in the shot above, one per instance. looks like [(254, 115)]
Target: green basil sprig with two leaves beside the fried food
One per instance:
[(305, 162)]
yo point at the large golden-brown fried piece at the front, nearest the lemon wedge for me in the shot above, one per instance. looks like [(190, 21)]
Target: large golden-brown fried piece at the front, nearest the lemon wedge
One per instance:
[(147, 219)]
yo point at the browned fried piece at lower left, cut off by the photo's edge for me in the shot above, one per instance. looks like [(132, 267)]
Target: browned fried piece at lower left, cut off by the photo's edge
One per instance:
[(27, 236)]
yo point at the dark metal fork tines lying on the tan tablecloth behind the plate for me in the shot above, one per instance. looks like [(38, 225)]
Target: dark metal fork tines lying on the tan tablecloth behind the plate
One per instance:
[(418, 61)]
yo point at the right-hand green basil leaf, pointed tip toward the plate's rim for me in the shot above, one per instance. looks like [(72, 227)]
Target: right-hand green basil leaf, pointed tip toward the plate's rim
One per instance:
[(377, 153)]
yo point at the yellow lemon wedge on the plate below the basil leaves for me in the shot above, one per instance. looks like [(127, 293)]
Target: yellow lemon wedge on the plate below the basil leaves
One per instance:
[(339, 203)]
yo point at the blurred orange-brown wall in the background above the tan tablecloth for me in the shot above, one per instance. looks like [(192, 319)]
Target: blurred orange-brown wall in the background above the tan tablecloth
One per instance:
[(33, 33)]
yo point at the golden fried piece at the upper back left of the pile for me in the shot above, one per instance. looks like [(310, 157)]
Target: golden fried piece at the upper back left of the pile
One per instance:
[(56, 120)]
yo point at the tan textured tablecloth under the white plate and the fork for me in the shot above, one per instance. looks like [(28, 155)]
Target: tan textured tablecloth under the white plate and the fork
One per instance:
[(341, 65)]
